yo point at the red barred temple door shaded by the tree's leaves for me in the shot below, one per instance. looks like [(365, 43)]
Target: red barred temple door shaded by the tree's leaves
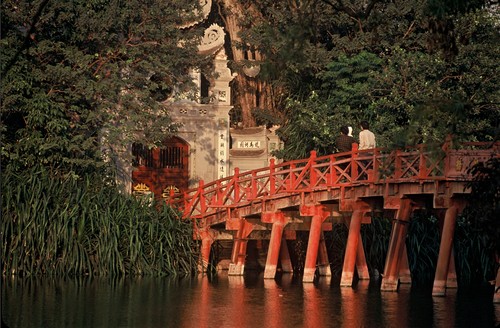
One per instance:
[(162, 169)]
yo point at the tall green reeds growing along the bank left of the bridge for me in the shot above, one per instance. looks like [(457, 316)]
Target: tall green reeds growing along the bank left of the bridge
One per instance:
[(73, 227)]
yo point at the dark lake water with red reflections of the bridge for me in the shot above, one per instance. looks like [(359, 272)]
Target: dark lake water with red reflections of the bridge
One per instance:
[(228, 301)]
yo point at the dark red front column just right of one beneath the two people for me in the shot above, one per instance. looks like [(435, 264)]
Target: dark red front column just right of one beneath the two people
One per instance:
[(390, 280)]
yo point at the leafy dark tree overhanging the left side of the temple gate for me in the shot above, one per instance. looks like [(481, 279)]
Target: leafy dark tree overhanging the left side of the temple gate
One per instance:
[(79, 75)]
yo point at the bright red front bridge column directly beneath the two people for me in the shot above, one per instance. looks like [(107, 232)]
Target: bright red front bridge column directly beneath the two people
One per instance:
[(352, 250)]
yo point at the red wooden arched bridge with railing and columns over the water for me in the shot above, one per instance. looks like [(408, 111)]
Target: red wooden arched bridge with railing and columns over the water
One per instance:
[(275, 202)]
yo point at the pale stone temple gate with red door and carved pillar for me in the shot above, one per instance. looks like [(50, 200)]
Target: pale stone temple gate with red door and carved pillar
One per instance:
[(204, 148)]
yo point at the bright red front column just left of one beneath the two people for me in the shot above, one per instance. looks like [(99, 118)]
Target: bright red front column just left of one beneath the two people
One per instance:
[(319, 215)]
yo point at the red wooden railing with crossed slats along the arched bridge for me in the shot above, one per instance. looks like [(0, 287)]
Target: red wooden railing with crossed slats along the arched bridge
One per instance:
[(330, 171)]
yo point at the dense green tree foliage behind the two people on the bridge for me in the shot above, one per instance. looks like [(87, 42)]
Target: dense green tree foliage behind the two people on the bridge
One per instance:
[(416, 70)]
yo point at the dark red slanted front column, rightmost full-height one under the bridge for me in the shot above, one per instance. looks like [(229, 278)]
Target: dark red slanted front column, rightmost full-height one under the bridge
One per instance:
[(445, 251)]
